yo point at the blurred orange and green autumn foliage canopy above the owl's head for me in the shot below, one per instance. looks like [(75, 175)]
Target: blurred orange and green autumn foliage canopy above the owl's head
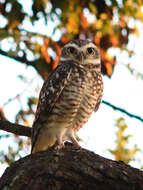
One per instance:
[(105, 22)]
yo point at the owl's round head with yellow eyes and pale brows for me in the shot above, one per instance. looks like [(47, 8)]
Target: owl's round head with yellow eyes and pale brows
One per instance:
[(81, 52)]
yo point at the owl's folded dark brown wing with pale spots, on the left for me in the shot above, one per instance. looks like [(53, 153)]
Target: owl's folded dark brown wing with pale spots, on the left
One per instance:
[(49, 94)]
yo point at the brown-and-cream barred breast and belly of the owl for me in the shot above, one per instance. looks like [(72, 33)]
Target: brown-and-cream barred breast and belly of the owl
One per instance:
[(77, 100)]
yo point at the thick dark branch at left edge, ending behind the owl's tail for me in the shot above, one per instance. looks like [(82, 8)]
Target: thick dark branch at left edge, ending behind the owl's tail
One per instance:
[(15, 128)]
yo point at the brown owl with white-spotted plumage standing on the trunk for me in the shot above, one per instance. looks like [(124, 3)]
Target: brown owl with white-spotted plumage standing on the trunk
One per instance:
[(68, 97)]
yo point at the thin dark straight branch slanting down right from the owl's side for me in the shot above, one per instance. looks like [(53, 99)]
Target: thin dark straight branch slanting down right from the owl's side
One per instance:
[(122, 110)]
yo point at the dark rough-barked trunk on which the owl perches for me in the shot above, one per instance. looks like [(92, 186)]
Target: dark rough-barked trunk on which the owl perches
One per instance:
[(70, 170)]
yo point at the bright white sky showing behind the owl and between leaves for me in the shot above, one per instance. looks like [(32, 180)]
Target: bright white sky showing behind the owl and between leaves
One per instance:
[(123, 90)]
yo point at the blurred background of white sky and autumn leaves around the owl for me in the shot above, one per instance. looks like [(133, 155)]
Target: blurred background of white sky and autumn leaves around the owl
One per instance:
[(32, 33)]
